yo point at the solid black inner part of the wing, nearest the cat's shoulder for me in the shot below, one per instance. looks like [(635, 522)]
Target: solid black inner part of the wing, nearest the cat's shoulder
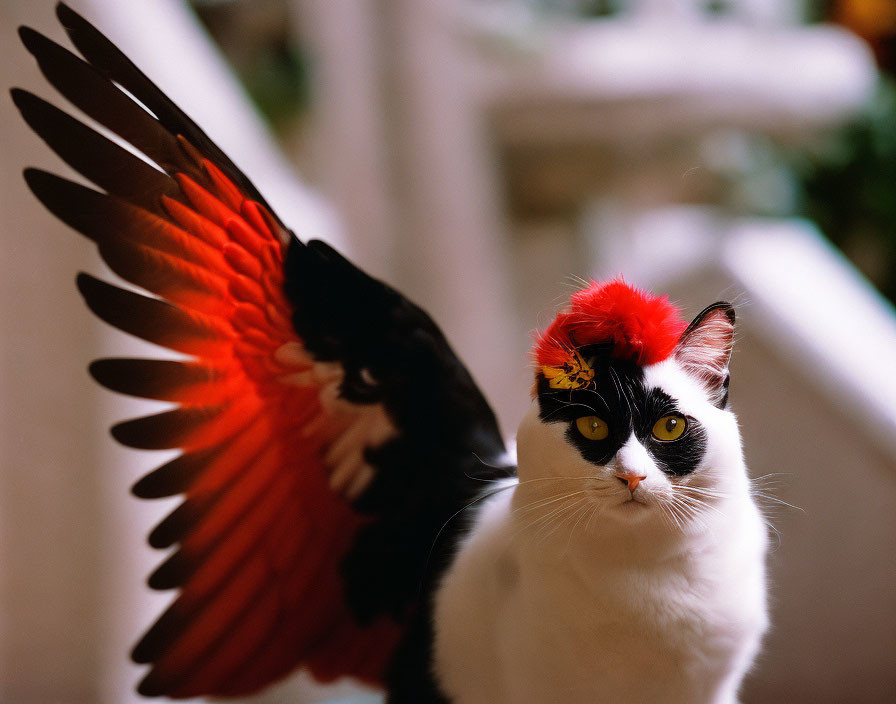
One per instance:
[(432, 470)]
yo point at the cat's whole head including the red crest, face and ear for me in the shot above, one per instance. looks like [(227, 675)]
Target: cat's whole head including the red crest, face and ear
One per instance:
[(629, 422)]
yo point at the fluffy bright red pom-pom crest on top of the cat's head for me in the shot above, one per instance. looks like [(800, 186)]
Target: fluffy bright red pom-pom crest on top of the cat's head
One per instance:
[(642, 327)]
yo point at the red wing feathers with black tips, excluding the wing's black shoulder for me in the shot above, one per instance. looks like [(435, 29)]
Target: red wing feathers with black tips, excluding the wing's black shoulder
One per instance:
[(260, 533)]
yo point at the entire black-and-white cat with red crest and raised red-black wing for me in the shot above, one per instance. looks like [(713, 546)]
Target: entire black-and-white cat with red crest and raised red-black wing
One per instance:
[(329, 438)]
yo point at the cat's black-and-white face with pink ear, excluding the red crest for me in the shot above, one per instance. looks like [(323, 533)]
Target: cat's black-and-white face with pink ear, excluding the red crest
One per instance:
[(641, 445)]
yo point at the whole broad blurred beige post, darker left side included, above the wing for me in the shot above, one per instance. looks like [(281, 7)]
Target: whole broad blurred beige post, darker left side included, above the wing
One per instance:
[(402, 152)]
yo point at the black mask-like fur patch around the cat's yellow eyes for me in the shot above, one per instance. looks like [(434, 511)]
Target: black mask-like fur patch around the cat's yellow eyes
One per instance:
[(620, 398)]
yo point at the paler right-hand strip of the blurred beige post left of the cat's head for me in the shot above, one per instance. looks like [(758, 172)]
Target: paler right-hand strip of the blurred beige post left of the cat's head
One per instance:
[(451, 249)]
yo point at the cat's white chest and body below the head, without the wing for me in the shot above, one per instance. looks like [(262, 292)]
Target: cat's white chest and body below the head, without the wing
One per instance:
[(533, 621)]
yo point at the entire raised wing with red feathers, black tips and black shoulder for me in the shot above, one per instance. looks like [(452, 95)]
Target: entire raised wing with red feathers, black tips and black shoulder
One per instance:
[(327, 430)]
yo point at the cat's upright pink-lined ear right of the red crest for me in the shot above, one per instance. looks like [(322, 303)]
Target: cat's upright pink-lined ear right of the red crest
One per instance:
[(705, 348)]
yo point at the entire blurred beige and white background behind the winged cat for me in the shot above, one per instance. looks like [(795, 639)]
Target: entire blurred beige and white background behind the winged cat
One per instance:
[(482, 155)]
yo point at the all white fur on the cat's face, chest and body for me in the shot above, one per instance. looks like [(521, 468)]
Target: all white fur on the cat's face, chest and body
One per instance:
[(595, 598)]
